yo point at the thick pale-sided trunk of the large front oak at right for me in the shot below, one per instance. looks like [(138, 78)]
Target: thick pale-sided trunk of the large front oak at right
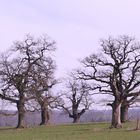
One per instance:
[(116, 113)]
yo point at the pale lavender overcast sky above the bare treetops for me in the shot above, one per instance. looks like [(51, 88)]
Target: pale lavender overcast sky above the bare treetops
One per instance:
[(76, 25)]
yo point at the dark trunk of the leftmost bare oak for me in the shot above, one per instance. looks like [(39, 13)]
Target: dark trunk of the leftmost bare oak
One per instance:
[(21, 114)]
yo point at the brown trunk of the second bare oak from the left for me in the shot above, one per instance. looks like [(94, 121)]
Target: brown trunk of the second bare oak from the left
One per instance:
[(44, 114)]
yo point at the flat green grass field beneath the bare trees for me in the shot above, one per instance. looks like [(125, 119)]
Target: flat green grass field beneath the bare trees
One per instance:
[(97, 131)]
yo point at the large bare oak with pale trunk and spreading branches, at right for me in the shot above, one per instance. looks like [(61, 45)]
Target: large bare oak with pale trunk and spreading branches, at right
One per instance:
[(116, 71)]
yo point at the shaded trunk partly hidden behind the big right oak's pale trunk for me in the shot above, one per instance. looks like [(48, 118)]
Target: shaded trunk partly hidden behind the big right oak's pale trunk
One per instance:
[(124, 113)]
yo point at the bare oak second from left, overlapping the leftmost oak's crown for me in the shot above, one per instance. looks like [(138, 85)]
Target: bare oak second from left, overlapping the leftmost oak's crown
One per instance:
[(41, 84)]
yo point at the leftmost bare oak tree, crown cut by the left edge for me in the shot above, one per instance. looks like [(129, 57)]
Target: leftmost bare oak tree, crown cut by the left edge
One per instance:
[(16, 69)]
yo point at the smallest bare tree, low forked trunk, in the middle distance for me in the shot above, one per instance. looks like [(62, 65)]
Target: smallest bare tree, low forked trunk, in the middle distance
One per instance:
[(76, 100)]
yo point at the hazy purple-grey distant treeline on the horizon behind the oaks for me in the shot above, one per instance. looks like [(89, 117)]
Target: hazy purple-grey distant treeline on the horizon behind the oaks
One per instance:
[(58, 117)]
